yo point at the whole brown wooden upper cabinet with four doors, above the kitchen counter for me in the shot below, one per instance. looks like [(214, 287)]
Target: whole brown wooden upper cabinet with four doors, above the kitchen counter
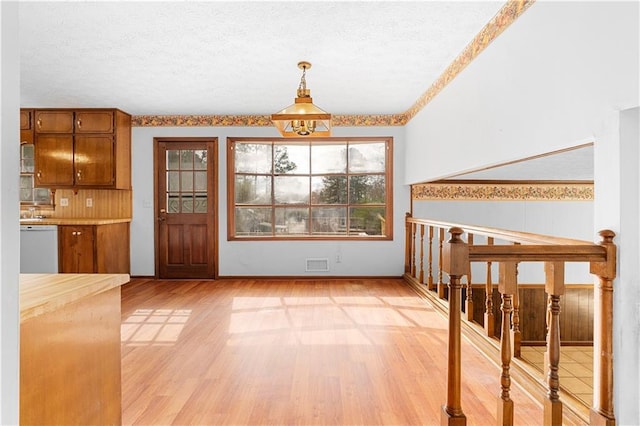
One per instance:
[(83, 148)]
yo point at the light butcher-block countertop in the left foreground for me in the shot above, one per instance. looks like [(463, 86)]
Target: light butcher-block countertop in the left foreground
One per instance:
[(42, 293)]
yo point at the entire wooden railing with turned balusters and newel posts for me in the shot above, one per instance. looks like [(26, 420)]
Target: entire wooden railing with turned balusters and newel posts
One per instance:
[(455, 257)]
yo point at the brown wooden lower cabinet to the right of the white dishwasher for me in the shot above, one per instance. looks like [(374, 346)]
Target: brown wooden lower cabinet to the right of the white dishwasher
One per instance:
[(87, 249)]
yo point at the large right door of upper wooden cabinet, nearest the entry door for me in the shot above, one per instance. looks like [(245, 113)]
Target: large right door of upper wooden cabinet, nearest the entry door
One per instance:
[(93, 160)]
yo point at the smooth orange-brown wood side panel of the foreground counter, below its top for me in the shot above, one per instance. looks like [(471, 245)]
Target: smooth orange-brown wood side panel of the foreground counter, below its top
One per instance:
[(70, 364)]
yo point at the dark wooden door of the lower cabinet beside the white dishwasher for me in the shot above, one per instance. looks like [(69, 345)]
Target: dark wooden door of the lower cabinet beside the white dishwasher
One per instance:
[(76, 249)]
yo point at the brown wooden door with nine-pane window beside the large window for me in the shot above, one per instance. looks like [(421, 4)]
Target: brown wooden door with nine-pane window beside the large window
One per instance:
[(186, 207)]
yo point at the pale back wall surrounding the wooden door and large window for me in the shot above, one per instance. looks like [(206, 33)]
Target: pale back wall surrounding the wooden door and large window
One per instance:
[(251, 258)]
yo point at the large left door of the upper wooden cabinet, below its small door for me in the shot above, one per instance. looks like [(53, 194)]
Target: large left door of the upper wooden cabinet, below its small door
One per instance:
[(53, 160)]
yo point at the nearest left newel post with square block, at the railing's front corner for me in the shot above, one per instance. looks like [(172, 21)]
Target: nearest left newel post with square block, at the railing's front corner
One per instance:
[(455, 262)]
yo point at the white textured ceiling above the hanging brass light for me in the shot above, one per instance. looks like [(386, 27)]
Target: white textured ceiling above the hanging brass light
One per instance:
[(235, 58)]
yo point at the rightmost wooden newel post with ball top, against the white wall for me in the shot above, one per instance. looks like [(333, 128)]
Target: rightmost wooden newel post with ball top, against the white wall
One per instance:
[(602, 411)]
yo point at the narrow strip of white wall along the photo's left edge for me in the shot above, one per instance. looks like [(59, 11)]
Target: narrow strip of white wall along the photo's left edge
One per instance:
[(9, 212)]
